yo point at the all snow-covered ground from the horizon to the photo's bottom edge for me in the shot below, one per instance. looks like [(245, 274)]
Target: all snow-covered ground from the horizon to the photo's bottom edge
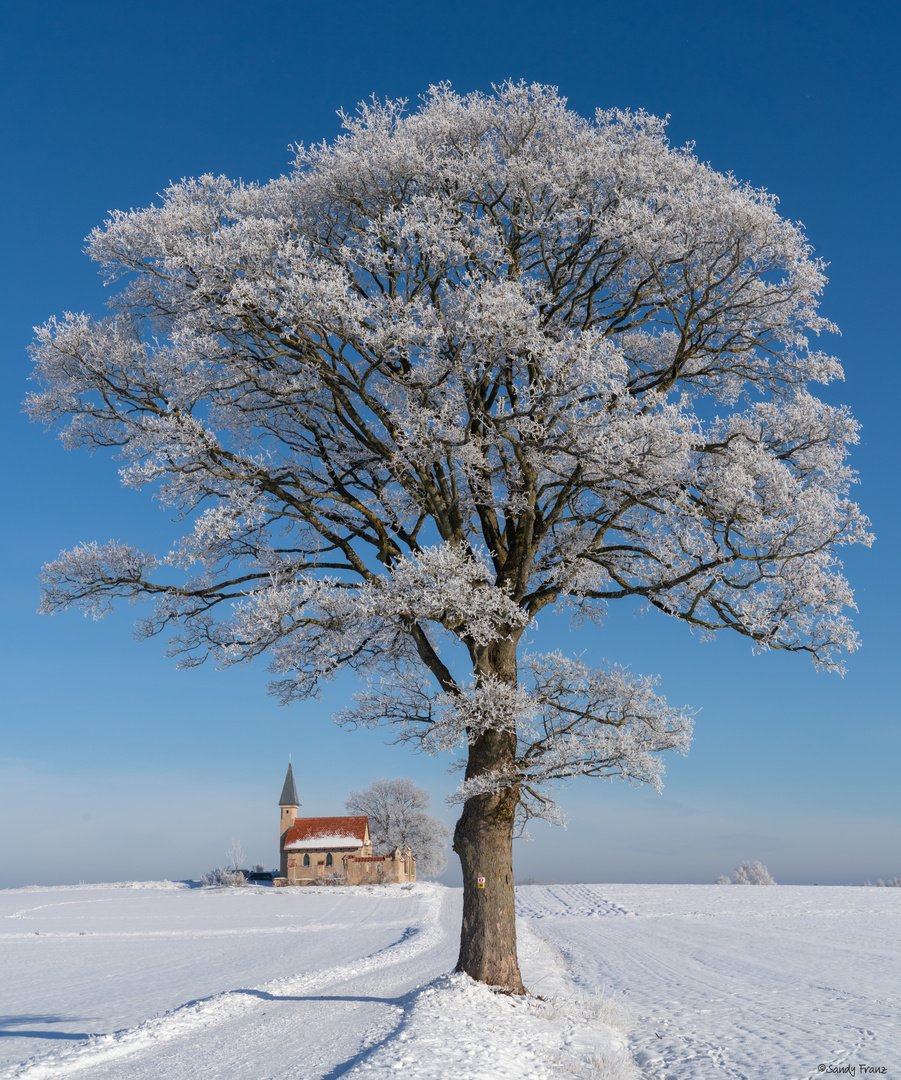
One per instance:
[(160, 981)]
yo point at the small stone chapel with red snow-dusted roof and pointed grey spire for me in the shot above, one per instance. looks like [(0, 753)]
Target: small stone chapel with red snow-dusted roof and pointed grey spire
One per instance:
[(339, 849)]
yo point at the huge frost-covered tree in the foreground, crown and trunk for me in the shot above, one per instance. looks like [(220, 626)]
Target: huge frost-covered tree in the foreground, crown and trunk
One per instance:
[(466, 364)]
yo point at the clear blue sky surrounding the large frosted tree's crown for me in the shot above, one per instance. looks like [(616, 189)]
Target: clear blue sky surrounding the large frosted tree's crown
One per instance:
[(113, 764)]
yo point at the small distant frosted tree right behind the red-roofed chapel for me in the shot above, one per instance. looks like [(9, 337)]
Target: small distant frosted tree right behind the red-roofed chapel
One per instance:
[(398, 818)]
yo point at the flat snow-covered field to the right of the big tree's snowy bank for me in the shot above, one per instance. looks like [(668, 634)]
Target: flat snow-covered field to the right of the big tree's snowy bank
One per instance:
[(751, 983)]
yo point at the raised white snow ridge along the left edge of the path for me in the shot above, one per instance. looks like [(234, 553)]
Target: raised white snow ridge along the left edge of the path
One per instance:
[(196, 1017)]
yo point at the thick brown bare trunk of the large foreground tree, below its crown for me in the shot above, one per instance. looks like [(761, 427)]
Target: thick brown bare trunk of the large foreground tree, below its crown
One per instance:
[(485, 842)]
